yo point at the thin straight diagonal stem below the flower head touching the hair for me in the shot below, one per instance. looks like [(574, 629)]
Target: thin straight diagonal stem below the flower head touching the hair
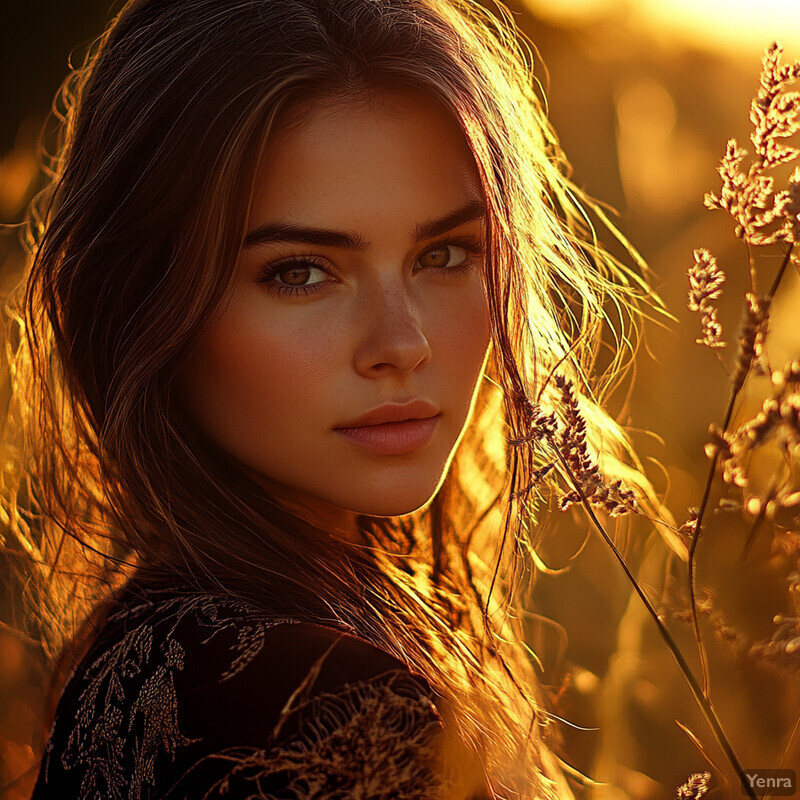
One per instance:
[(700, 696)]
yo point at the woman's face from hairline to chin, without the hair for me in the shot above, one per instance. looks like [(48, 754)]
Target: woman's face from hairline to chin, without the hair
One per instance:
[(359, 287)]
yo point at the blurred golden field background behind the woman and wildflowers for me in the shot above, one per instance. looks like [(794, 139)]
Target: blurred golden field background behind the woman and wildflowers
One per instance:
[(644, 95)]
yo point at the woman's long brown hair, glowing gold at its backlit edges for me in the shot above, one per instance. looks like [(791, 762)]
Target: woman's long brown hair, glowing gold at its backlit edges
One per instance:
[(132, 252)]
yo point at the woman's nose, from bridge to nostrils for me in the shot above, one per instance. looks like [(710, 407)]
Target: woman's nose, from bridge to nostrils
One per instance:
[(391, 335)]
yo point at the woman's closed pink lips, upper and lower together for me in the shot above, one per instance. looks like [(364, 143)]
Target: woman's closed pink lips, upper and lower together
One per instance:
[(394, 428)]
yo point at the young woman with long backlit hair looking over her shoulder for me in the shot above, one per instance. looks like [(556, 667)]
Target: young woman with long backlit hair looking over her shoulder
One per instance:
[(293, 295)]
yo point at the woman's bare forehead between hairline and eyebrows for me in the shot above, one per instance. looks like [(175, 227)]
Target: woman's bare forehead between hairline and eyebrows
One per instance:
[(397, 156)]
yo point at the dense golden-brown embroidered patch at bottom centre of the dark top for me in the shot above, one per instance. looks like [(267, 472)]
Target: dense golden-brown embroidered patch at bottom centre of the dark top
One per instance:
[(374, 739)]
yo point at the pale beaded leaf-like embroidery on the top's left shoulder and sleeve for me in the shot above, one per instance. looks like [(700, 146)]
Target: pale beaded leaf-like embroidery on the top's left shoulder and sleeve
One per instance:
[(126, 718)]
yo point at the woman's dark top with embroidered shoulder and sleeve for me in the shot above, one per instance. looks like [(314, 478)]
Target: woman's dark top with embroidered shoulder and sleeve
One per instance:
[(182, 694)]
